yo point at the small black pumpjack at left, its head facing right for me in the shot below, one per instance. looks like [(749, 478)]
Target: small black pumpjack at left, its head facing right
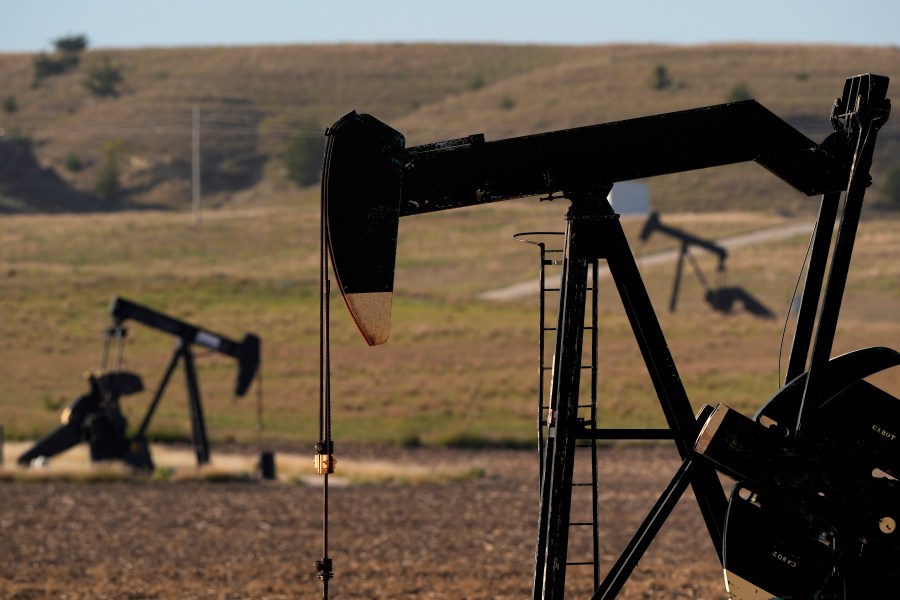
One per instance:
[(96, 417)]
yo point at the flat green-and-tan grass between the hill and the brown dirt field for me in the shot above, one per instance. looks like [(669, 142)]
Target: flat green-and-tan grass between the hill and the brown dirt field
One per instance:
[(455, 370)]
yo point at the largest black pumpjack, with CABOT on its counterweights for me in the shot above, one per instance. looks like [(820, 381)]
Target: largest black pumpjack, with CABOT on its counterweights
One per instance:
[(815, 509)]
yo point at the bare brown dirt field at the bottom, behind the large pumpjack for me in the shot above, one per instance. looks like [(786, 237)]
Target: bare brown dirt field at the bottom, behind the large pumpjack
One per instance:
[(464, 540)]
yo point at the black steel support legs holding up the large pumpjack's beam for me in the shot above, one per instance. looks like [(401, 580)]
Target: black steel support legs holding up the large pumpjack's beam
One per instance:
[(594, 232)]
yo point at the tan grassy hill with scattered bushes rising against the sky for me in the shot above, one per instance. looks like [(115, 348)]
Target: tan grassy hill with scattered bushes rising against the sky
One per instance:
[(253, 100)]
